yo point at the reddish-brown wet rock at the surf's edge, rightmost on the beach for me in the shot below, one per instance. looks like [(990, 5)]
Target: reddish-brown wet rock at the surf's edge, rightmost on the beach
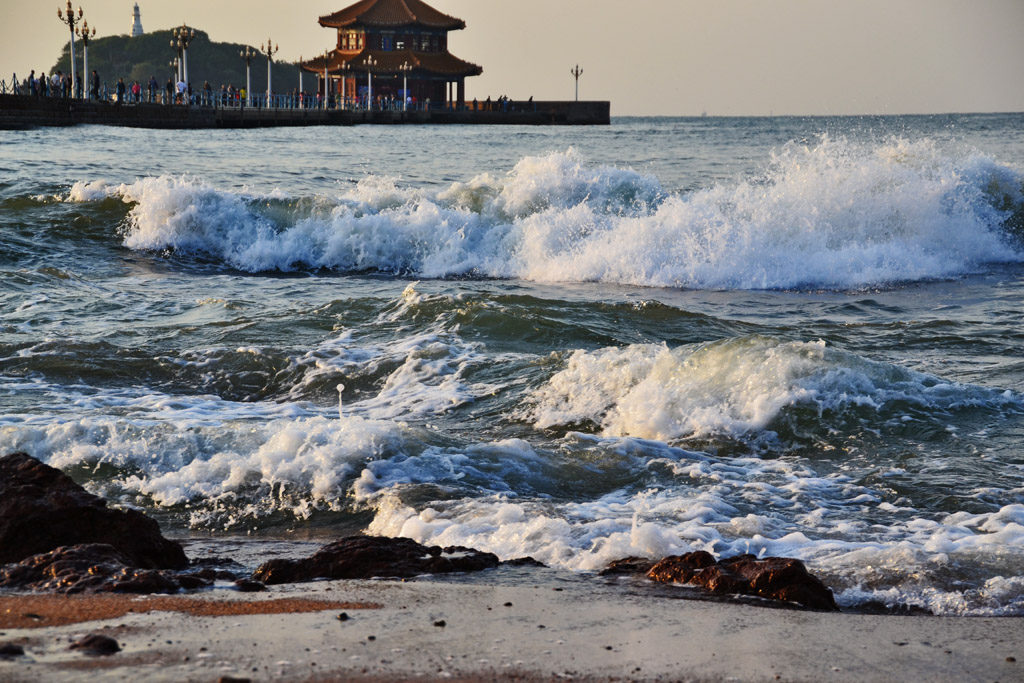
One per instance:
[(776, 578)]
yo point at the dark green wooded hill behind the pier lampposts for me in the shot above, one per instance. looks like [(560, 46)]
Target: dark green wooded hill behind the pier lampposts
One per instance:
[(151, 55)]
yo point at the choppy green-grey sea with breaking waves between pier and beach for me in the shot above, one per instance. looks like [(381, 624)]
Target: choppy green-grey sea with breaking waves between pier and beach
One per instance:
[(795, 337)]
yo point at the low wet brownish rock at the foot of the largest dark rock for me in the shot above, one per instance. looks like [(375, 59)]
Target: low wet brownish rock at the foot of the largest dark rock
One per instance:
[(93, 569)]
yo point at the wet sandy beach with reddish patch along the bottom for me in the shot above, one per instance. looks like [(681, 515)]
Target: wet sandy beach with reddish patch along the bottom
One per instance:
[(511, 625)]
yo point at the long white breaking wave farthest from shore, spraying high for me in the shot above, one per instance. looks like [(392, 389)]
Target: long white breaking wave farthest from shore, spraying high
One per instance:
[(836, 216)]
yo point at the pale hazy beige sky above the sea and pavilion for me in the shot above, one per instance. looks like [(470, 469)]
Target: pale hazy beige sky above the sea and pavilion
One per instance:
[(648, 57)]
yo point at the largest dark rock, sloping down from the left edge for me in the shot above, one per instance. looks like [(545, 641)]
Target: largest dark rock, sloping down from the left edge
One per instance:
[(41, 508)]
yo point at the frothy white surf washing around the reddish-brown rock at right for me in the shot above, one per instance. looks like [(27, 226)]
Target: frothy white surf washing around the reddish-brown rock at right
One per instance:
[(909, 561)]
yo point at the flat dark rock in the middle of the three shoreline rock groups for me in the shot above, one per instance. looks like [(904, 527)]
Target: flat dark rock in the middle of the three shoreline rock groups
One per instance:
[(368, 558)]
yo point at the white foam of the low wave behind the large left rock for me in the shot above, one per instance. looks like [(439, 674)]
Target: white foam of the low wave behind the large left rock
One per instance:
[(230, 474)]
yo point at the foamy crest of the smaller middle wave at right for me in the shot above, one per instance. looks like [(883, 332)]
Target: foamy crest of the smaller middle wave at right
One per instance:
[(733, 388)]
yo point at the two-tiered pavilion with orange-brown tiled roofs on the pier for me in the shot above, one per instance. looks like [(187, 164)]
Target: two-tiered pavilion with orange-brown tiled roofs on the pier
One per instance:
[(393, 39)]
